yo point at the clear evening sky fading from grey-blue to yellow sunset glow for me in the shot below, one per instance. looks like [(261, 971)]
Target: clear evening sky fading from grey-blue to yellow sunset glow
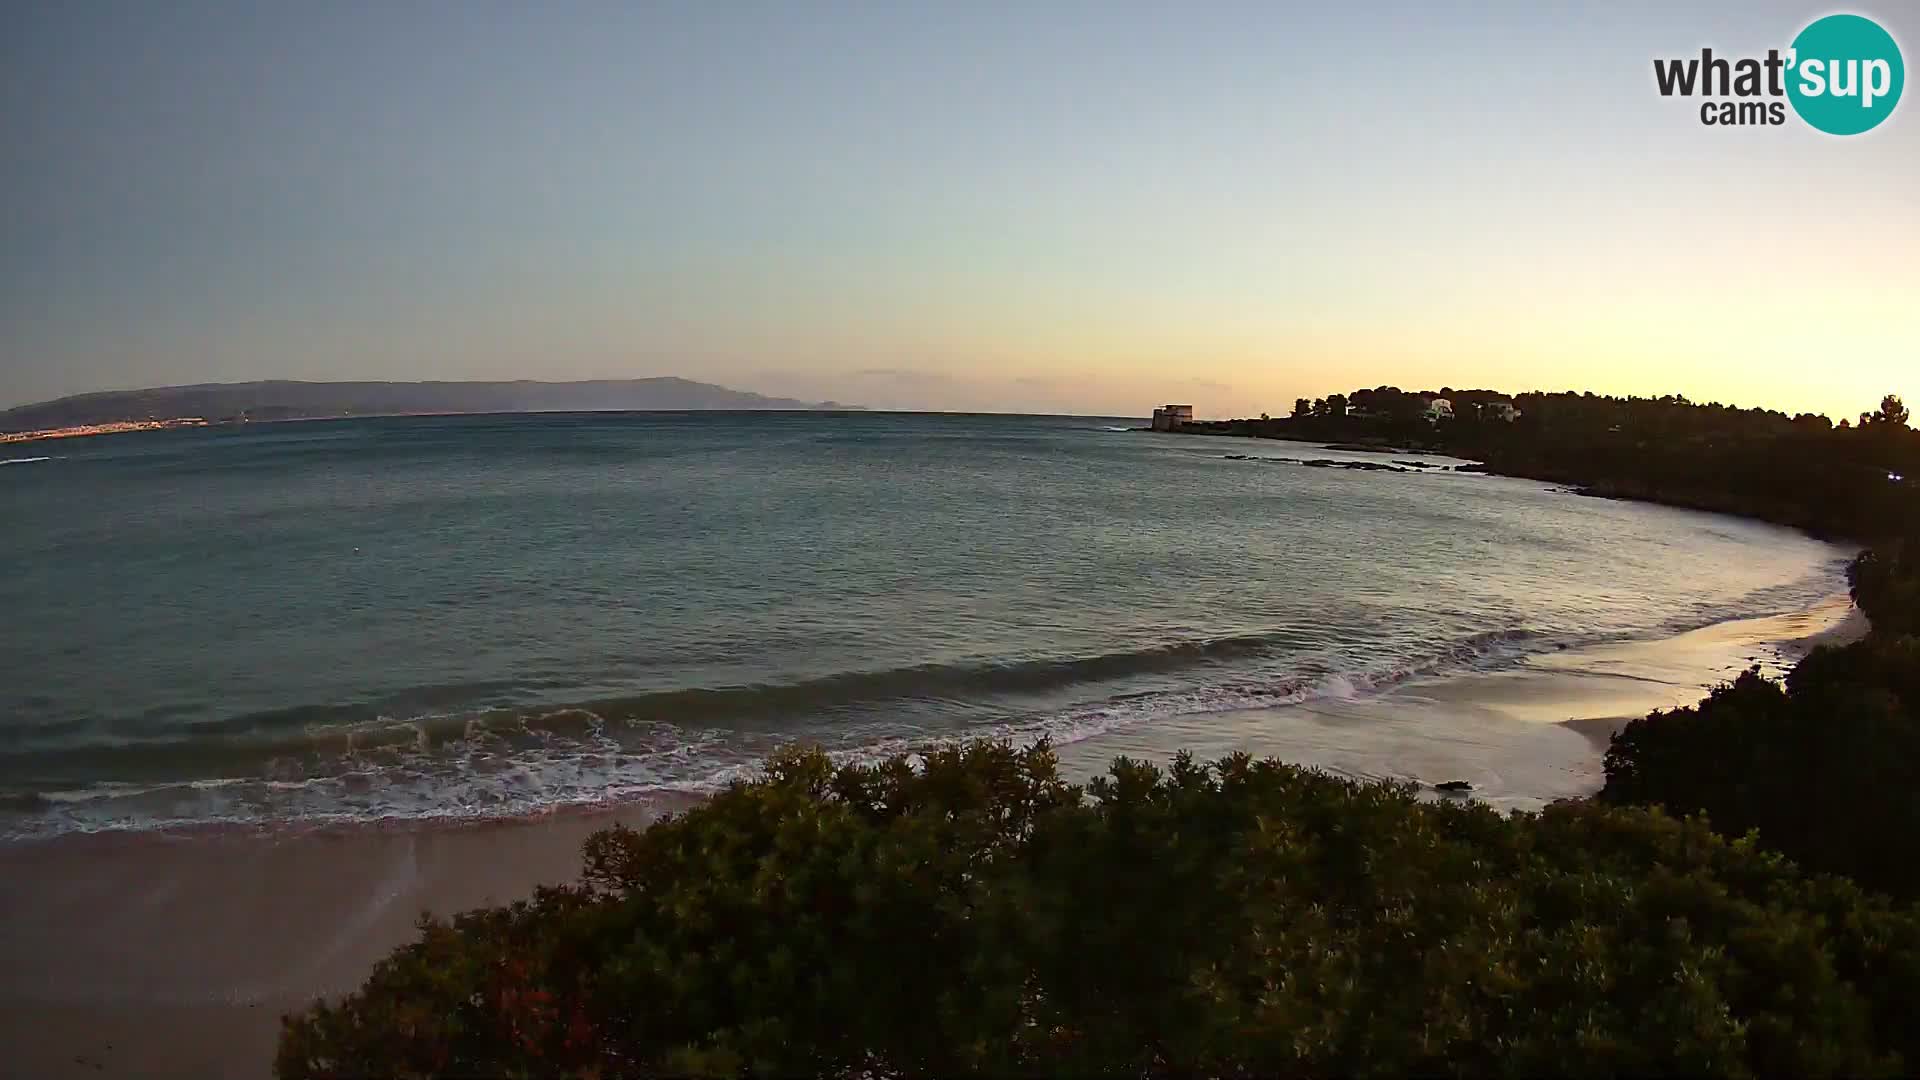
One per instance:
[(917, 205)]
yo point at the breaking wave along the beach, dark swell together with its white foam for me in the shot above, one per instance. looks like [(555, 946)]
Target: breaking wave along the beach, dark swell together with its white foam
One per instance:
[(510, 762)]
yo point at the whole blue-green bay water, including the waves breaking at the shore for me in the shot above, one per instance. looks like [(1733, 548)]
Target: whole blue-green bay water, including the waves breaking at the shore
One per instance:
[(475, 616)]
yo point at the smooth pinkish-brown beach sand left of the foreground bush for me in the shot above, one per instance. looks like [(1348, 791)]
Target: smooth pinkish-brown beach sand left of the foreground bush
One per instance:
[(178, 954)]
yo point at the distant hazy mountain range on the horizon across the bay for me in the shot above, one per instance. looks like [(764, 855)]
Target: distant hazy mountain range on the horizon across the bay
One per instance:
[(279, 401)]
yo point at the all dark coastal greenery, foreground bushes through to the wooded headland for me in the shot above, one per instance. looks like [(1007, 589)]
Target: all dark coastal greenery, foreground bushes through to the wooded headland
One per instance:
[(1737, 900)]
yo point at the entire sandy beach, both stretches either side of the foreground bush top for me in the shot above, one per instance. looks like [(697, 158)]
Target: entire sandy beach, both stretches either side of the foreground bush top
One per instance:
[(176, 954)]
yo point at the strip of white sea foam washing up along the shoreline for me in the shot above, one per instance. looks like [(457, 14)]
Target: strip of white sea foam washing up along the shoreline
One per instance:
[(485, 773)]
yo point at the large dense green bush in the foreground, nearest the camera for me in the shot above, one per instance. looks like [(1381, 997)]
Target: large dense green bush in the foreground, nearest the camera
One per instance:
[(980, 916)]
